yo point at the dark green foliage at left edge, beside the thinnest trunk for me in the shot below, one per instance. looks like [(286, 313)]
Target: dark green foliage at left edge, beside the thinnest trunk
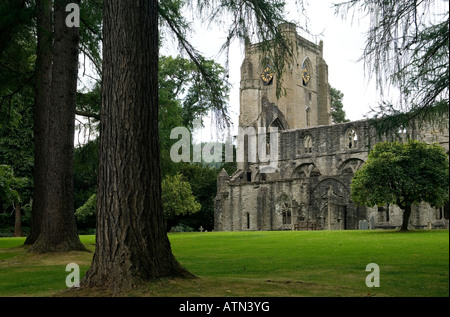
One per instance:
[(17, 57)]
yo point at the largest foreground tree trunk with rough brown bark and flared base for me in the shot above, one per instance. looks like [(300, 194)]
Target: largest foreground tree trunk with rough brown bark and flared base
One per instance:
[(132, 246)]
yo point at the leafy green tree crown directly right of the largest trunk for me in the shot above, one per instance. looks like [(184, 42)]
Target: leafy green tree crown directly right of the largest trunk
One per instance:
[(183, 97)]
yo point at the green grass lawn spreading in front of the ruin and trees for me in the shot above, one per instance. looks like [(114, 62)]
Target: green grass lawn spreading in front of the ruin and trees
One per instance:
[(268, 264)]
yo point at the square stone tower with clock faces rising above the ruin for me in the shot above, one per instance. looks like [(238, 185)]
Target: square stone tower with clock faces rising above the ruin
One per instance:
[(307, 99)]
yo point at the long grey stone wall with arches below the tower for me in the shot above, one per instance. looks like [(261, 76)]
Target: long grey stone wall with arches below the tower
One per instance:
[(312, 183)]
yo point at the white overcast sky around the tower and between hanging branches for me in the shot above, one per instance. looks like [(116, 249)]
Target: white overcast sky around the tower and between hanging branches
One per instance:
[(343, 46)]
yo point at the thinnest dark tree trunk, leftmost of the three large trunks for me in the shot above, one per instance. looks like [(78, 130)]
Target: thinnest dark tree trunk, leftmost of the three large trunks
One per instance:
[(43, 79)]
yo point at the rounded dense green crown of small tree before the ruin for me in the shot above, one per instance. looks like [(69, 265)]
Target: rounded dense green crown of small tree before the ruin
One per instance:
[(403, 174)]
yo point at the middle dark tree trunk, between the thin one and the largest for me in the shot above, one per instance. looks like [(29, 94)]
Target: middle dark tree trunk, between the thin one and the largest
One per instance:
[(58, 230)]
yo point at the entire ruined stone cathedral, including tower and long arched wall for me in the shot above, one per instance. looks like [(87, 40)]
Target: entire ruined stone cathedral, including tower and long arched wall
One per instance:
[(310, 188)]
